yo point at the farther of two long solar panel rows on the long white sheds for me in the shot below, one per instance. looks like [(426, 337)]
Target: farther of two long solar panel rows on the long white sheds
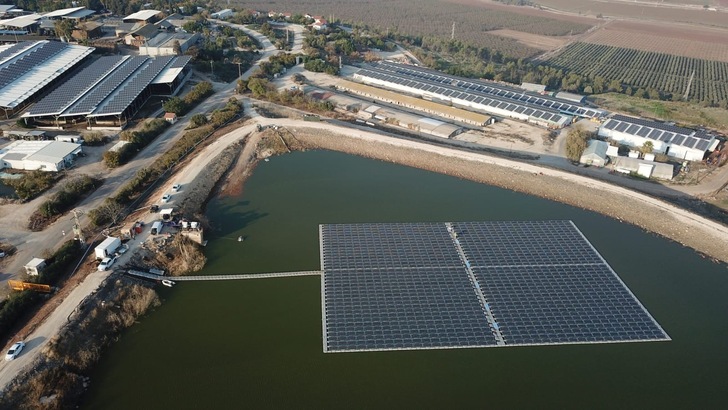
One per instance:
[(511, 93)]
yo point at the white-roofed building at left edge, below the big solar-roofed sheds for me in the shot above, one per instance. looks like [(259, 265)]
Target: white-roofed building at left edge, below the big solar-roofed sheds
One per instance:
[(39, 155)]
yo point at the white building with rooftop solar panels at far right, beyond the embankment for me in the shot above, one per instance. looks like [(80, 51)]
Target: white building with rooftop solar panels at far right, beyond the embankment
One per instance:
[(677, 142)]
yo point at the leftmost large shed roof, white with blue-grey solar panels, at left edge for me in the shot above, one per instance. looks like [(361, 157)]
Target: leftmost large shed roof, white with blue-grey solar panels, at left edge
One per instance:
[(24, 74)]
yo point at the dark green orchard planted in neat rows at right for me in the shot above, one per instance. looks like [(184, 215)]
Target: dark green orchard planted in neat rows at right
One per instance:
[(644, 69)]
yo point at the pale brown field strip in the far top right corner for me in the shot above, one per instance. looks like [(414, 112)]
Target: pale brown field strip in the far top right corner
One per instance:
[(690, 13)]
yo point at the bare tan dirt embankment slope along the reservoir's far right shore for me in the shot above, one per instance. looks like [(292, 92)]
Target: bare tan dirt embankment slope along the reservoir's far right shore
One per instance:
[(624, 208)]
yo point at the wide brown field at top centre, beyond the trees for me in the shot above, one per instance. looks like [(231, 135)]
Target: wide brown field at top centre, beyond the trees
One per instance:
[(434, 18)]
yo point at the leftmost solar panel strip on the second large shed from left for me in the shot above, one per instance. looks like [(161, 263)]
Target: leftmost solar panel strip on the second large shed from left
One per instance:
[(64, 95)]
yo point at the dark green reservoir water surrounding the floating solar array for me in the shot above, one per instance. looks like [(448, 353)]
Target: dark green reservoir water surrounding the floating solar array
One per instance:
[(257, 343)]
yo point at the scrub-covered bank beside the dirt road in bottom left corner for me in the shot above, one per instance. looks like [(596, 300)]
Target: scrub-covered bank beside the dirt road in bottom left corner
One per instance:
[(58, 379)]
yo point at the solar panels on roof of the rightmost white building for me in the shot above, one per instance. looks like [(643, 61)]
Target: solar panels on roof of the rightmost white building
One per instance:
[(658, 131)]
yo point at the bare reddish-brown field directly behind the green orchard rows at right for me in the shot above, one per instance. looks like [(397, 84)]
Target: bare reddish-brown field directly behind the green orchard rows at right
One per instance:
[(683, 40)]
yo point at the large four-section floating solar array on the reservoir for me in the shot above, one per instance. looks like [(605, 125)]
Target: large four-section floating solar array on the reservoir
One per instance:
[(472, 284)]
